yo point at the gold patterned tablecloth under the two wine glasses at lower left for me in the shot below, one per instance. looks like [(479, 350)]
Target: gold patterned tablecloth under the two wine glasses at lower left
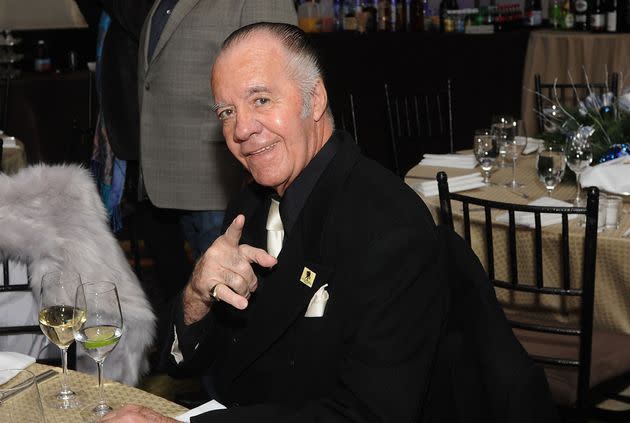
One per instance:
[(88, 387)]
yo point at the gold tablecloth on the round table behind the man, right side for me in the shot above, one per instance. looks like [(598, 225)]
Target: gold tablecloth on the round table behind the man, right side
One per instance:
[(612, 284)]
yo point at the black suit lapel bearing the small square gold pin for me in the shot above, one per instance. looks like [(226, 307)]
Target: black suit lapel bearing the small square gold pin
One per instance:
[(282, 297)]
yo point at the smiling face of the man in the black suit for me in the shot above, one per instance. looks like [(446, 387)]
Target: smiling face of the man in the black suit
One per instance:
[(261, 110)]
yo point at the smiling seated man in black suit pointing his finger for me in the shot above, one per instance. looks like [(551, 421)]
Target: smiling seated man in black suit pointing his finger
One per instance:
[(344, 324)]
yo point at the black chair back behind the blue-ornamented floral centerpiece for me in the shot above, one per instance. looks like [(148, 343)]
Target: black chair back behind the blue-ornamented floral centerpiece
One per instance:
[(568, 94)]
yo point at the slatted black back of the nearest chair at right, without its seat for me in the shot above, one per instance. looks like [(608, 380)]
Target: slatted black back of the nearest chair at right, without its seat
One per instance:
[(524, 324)]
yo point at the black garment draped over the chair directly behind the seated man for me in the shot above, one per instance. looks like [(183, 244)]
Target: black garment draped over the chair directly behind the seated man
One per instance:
[(482, 373)]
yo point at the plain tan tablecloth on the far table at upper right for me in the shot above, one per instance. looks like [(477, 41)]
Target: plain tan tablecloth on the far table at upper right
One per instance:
[(554, 53)]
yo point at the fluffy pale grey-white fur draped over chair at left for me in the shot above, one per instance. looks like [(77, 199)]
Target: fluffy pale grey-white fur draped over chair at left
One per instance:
[(52, 217)]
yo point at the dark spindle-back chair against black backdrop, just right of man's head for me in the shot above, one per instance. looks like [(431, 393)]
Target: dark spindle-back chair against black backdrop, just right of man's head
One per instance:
[(420, 121)]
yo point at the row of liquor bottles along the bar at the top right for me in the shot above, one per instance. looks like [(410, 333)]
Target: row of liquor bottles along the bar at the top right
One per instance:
[(418, 16)]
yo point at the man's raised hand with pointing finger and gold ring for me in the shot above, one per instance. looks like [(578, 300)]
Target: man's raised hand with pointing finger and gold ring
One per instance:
[(225, 268)]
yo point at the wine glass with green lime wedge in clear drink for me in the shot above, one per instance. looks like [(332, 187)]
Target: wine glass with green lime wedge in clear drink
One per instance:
[(99, 332)]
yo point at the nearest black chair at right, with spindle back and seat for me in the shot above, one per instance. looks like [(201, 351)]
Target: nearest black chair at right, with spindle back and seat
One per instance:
[(578, 361)]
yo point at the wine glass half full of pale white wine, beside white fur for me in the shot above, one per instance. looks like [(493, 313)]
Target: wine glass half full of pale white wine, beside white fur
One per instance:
[(57, 320)]
